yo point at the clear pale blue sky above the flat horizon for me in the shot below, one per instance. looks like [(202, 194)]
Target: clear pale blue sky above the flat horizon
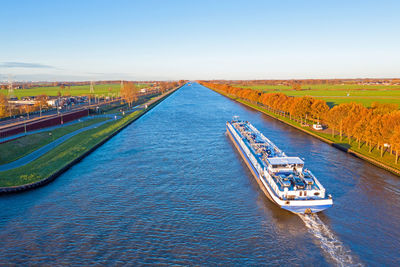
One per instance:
[(166, 40)]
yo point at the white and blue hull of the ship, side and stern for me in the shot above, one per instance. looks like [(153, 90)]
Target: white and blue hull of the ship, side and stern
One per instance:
[(295, 206)]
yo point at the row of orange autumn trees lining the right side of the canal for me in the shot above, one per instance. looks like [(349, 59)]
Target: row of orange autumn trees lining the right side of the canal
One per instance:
[(377, 126)]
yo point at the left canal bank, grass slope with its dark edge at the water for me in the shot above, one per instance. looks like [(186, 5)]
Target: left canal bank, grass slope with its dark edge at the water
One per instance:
[(66, 155)]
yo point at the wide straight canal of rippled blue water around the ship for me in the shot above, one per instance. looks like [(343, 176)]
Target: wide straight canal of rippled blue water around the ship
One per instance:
[(171, 189)]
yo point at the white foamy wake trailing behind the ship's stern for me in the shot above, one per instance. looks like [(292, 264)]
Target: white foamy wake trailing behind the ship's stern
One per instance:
[(328, 241)]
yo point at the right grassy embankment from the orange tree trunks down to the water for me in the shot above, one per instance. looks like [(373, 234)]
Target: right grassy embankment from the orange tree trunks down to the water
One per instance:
[(387, 161)]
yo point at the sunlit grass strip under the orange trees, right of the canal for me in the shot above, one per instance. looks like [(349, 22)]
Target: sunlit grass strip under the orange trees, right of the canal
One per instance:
[(387, 159)]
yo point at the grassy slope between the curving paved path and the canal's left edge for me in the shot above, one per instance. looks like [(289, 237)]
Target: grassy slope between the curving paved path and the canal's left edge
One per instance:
[(66, 153)]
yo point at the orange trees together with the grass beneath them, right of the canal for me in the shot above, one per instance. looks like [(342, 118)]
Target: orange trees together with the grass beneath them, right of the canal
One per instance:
[(371, 131)]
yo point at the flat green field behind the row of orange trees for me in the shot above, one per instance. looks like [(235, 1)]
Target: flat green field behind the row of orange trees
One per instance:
[(337, 94)]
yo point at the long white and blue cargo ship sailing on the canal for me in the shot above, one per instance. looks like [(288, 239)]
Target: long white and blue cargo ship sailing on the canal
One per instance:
[(283, 179)]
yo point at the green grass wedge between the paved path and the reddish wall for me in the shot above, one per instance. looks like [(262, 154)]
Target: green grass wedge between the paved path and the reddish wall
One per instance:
[(25, 145)]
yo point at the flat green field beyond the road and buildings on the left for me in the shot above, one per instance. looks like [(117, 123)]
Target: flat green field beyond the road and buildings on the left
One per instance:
[(100, 90)]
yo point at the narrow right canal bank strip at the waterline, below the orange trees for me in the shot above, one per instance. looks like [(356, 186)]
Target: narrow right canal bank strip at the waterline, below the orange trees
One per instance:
[(339, 146)]
